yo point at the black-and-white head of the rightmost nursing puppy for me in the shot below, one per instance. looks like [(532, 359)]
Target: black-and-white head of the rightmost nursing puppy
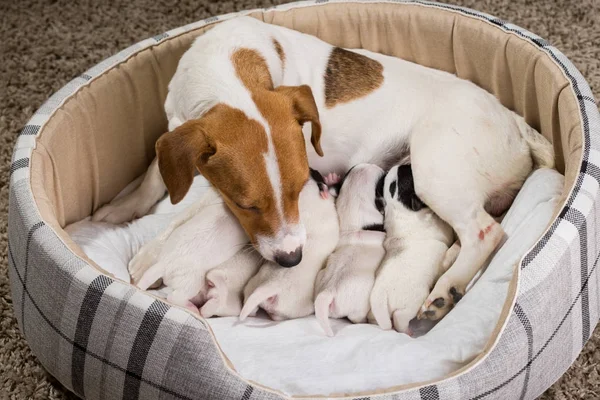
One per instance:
[(399, 188)]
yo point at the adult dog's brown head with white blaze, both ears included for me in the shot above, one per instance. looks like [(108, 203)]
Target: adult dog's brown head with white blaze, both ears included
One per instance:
[(258, 164)]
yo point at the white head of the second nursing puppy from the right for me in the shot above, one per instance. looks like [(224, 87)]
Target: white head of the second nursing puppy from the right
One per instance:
[(358, 200)]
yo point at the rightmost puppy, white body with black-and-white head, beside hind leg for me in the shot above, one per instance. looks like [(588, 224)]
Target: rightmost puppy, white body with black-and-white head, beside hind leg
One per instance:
[(416, 243)]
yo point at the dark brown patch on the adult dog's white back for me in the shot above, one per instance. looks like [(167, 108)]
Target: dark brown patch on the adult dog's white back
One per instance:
[(349, 76)]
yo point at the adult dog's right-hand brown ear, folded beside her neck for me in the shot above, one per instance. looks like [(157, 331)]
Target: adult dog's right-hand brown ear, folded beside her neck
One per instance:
[(305, 110)]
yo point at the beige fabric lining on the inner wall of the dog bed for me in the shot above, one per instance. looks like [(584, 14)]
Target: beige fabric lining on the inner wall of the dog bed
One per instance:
[(103, 136)]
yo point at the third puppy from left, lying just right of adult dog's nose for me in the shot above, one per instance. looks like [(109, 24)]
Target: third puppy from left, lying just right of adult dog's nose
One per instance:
[(286, 293)]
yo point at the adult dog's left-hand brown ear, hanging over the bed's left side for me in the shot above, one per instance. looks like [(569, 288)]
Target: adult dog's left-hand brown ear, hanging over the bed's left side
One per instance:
[(179, 152)]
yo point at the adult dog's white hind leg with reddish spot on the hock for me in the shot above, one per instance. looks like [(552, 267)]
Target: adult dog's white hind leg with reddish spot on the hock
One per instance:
[(452, 186)]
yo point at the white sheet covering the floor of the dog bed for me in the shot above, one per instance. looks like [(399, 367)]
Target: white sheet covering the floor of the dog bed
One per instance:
[(288, 356)]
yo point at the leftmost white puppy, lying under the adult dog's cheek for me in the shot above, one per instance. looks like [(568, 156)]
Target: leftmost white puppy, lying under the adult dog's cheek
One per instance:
[(201, 238)]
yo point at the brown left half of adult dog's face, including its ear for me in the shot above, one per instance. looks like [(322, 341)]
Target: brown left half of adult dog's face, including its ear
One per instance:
[(227, 148)]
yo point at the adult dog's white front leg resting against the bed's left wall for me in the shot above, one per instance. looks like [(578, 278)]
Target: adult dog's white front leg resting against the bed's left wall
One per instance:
[(137, 203)]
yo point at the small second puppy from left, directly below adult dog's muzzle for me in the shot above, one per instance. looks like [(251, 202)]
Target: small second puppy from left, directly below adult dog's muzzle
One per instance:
[(225, 284)]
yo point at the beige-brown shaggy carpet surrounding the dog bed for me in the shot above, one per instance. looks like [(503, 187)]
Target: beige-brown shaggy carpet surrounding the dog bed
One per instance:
[(44, 44)]
